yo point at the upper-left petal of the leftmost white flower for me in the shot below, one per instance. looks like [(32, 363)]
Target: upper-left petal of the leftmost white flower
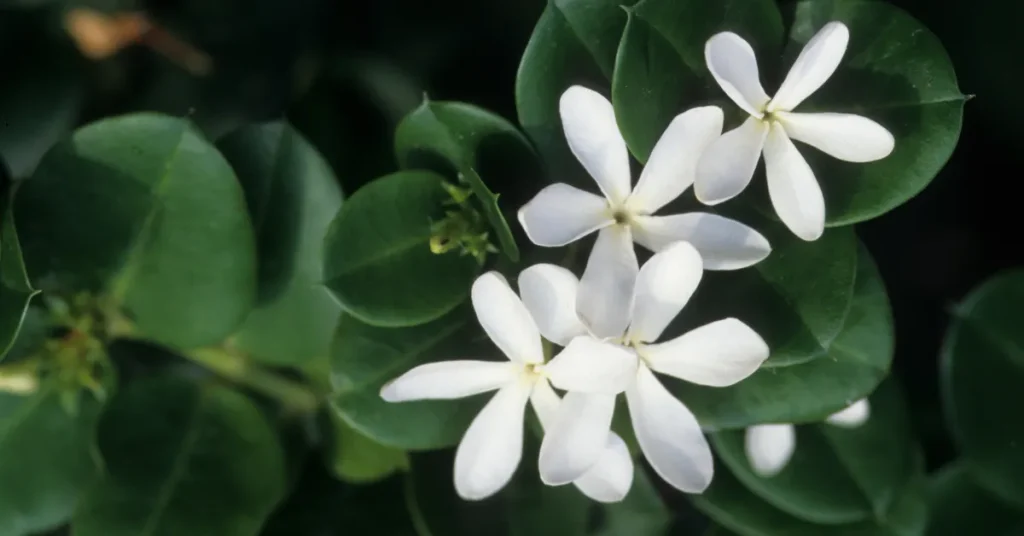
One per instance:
[(506, 320)]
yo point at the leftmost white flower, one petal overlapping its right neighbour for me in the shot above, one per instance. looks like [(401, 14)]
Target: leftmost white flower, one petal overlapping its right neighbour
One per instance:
[(492, 448)]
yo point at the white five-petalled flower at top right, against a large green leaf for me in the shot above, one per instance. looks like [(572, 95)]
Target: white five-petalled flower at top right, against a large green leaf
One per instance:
[(729, 164)]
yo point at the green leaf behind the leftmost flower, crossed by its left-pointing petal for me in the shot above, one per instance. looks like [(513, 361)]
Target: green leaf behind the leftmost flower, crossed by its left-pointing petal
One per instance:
[(366, 357)]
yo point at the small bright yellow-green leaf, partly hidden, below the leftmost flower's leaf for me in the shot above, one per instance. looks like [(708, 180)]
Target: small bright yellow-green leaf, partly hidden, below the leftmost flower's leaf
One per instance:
[(358, 460)]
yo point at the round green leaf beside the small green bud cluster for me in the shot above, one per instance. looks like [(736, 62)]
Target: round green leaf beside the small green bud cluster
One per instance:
[(378, 259)]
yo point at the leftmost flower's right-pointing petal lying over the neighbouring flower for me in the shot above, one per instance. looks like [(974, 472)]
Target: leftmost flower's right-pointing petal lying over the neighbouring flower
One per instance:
[(589, 365)]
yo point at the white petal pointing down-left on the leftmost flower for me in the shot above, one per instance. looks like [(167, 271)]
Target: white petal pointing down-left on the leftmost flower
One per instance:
[(491, 450)]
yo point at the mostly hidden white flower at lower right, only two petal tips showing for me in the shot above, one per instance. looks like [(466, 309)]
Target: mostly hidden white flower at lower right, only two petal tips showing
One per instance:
[(770, 447)]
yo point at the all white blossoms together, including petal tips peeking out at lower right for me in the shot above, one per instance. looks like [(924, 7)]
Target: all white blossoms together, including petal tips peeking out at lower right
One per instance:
[(609, 322)]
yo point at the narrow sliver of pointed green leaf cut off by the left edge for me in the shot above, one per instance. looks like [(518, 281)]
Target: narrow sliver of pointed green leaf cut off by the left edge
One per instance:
[(16, 290)]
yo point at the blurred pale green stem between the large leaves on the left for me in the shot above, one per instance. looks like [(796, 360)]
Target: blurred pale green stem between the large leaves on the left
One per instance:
[(236, 368)]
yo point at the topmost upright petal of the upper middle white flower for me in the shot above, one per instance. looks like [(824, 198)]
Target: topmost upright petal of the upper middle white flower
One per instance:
[(593, 136)]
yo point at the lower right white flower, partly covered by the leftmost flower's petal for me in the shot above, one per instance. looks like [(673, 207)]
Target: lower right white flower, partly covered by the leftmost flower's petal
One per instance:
[(719, 354)]
